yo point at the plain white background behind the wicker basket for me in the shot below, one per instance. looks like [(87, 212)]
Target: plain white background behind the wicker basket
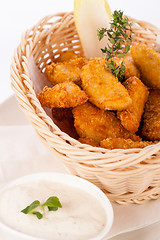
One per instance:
[(18, 15)]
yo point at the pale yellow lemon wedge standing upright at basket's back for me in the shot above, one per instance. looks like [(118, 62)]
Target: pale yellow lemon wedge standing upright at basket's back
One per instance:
[(90, 15)]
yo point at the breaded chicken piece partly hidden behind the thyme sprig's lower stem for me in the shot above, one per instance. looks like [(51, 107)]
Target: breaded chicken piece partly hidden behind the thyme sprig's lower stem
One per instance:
[(130, 68)]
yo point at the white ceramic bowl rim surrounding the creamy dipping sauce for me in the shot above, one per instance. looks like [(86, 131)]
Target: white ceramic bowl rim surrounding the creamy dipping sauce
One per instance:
[(6, 233)]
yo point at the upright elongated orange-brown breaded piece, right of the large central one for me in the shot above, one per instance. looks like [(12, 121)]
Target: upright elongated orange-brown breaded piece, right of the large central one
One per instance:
[(131, 117)]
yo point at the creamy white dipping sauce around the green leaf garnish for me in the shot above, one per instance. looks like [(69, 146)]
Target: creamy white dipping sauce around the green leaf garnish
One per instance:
[(80, 218)]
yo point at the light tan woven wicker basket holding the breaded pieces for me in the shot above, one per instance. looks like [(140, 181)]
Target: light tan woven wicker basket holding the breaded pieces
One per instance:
[(126, 176)]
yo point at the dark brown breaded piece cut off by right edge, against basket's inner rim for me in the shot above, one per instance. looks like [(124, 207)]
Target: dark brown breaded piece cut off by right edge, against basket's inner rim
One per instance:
[(151, 117)]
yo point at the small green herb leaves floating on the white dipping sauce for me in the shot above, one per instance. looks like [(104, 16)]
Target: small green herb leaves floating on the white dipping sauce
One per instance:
[(52, 203)]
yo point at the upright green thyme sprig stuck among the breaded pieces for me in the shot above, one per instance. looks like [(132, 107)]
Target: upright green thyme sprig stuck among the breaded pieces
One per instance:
[(120, 38)]
